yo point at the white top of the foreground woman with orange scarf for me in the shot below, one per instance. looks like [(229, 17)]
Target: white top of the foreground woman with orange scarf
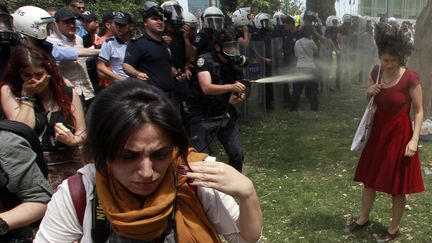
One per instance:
[(60, 223)]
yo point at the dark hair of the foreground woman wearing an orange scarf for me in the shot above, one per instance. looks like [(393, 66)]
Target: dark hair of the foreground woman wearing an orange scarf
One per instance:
[(122, 108)]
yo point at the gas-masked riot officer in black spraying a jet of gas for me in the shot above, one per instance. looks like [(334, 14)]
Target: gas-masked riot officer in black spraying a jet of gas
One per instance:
[(216, 89)]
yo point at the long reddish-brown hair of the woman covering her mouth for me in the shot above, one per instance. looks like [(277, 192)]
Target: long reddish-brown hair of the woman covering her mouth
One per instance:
[(23, 57)]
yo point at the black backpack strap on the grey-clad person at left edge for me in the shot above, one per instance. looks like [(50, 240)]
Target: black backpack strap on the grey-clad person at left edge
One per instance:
[(28, 134)]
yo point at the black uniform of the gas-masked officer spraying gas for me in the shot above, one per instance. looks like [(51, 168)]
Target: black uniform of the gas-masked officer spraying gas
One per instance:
[(213, 115)]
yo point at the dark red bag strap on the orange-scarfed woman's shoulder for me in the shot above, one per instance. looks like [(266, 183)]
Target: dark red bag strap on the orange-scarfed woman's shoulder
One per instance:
[(78, 195)]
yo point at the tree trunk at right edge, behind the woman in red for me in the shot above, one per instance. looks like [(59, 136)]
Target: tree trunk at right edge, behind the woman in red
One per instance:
[(421, 59)]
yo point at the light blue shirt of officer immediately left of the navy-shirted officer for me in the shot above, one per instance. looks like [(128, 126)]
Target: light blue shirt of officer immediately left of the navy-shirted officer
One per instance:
[(113, 52)]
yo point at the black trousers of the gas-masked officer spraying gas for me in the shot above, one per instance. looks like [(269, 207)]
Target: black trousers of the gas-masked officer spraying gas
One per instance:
[(204, 129)]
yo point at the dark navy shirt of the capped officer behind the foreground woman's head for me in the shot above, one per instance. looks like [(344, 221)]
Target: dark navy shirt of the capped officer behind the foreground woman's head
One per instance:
[(152, 57)]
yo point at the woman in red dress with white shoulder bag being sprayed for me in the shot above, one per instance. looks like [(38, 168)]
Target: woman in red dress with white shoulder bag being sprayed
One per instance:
[(390, 162)]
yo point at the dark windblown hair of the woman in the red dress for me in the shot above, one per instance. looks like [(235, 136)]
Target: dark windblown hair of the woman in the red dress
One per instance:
[(391, 40)]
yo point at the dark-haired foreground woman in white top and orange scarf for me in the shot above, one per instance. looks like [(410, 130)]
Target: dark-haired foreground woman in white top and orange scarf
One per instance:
[(150, 184)]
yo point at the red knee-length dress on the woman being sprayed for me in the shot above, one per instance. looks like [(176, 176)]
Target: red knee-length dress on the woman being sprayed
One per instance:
[(382, 164)]
